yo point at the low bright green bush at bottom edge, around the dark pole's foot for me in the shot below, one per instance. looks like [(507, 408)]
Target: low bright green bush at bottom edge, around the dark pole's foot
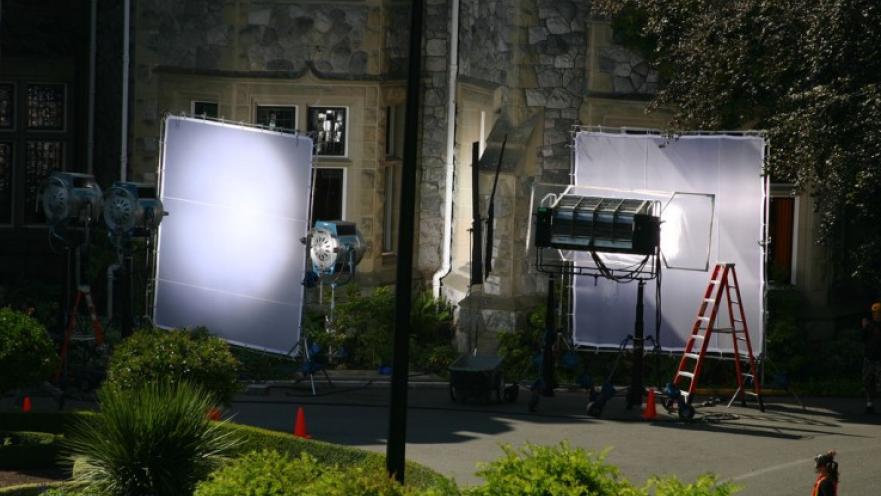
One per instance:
[(270, 473)]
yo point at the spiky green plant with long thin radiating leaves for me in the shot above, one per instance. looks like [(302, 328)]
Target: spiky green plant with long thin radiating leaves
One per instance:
[(150, 440)]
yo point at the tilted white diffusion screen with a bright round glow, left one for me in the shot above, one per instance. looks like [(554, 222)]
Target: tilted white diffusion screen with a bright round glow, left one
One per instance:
[(229, 253)]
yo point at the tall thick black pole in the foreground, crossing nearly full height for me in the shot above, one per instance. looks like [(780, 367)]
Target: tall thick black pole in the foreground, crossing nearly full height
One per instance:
[(395, 446)]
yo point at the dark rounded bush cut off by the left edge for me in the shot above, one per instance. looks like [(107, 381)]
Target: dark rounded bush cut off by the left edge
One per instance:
[(27, 355)]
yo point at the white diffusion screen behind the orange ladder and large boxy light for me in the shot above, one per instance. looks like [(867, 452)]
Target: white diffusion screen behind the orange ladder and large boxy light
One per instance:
[(715, 216)]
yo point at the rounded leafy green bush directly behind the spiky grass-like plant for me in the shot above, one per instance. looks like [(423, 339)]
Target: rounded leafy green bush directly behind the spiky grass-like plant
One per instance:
[(153, 355)]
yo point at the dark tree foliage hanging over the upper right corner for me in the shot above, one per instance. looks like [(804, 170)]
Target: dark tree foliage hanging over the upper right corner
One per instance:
[(808, 71)]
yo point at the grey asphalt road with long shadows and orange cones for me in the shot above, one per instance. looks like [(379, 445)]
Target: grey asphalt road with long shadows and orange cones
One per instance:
[(766, 453)]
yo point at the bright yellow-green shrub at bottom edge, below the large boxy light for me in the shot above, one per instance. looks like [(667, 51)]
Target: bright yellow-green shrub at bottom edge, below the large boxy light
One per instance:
[(551, 471)]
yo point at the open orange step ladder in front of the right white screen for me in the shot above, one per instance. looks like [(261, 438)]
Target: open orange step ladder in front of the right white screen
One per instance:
[(722, 285)]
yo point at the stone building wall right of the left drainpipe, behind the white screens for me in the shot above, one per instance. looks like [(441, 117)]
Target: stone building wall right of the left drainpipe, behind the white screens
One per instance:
[(529, 69)]
